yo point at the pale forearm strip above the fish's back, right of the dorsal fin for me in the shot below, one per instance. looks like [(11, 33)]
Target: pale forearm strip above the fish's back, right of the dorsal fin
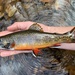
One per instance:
[(53, 29)]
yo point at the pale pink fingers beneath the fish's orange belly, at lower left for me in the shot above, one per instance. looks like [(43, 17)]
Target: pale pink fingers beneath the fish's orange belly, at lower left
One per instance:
[(9, 53)]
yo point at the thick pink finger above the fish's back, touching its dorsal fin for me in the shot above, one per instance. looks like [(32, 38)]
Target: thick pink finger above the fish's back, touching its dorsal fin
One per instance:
[(20, 26)]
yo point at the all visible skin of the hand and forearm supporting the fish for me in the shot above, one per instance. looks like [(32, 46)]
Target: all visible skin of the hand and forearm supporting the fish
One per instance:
[(25, 25)]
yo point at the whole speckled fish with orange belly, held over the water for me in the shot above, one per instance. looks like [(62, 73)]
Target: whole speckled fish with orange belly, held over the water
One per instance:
[(35, 39)]
